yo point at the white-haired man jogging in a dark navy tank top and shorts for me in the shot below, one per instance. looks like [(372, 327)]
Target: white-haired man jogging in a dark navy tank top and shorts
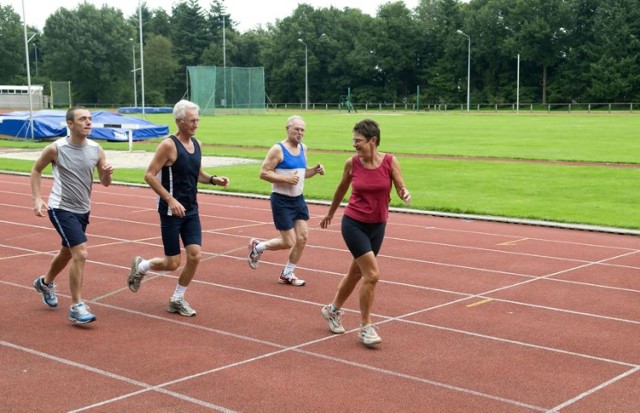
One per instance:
[(173, 174)]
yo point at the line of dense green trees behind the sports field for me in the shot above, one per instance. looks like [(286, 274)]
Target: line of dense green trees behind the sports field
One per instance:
[(560, 50)]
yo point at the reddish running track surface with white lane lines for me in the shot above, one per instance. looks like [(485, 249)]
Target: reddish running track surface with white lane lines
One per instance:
[(475, 317)]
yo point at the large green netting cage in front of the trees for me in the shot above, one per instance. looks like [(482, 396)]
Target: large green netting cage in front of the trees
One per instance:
[(231, 89)]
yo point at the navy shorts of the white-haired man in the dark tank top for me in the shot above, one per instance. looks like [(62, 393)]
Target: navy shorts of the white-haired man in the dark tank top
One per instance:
[(174, 228)]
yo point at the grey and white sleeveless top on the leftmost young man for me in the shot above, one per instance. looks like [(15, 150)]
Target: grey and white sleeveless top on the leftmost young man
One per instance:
[(73, 176)]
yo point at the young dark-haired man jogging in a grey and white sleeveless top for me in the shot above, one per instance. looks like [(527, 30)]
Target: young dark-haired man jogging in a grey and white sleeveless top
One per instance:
[(74, 159)]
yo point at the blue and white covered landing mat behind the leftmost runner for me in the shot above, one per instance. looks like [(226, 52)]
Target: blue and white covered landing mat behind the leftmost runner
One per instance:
[(106, 125)]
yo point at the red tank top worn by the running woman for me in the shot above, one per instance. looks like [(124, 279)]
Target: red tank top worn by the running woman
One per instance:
[(370, 191)]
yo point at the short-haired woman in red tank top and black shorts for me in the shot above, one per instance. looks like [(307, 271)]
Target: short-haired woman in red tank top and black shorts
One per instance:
[(370, 174)]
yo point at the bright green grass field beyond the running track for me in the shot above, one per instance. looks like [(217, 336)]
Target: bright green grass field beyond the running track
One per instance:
[(488, 164)]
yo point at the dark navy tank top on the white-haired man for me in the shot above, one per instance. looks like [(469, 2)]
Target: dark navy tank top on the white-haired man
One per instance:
[(181, 178)]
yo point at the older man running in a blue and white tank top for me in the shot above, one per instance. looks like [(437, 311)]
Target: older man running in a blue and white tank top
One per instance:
[(285, 167)]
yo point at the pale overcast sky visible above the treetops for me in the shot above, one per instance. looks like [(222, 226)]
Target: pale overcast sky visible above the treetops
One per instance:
[(248, 14)]
